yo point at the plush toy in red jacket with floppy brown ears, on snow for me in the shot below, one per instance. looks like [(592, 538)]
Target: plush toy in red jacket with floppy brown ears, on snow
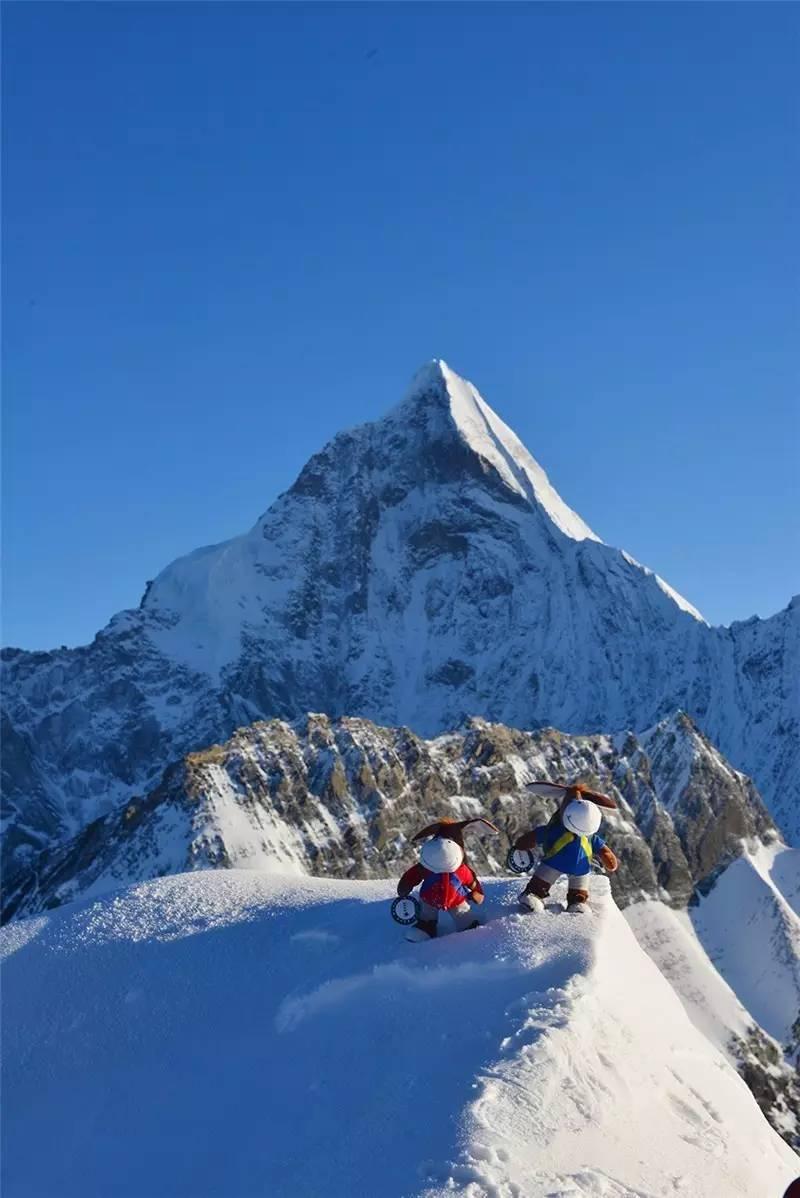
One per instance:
[(447, 882)]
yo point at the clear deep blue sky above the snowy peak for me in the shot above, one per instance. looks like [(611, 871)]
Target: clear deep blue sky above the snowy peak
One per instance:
[(232, 231)]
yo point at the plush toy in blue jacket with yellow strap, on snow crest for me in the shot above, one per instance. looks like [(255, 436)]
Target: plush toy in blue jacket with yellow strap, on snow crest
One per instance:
[(569, 843)]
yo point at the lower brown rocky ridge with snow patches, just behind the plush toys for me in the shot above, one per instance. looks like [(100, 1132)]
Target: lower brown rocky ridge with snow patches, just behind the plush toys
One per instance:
[(344, 798)]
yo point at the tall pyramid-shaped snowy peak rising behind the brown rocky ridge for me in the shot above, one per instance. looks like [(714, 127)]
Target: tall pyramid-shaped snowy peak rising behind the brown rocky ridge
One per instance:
[(421, 571)]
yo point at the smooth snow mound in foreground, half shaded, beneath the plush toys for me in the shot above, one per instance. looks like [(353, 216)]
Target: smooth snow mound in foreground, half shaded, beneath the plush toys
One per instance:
[(227, 1034)]
